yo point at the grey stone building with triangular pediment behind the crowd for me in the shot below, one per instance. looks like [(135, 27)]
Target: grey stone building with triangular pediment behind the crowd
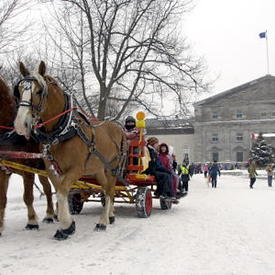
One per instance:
[(225, 122)]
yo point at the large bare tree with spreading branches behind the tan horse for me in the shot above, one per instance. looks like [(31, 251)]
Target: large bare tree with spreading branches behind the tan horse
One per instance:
[(129, 52)]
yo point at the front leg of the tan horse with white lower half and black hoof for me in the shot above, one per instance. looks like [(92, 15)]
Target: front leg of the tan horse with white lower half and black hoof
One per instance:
[(67, 224)]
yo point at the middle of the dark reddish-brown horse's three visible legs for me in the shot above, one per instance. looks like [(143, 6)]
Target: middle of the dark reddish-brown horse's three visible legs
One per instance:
[(28, 199)]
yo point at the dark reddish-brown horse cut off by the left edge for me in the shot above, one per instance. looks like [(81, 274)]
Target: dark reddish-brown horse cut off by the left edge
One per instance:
[(12, 141)]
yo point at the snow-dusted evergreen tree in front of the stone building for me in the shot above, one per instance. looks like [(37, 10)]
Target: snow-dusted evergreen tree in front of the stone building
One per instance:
[(261, 152)]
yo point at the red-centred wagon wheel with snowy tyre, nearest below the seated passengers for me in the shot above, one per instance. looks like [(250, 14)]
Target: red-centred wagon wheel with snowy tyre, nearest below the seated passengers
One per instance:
[(144, 203)]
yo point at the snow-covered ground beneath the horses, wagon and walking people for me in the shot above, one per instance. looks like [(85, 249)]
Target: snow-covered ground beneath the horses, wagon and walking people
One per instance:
[(228, 230)]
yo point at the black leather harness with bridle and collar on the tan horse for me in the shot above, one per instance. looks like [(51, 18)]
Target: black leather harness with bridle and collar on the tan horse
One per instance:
[(68, 126)]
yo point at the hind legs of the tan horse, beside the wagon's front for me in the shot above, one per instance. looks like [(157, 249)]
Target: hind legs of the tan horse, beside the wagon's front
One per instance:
[(108, 183)]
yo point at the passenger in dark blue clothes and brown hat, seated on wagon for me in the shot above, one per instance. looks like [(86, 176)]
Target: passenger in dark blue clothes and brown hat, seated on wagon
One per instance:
[(156, 169)]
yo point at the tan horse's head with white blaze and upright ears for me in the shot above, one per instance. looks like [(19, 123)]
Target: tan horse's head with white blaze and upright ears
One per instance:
[(31, 92)]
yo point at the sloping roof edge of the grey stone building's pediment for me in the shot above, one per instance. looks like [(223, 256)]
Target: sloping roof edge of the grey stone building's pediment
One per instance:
[(242, 87)]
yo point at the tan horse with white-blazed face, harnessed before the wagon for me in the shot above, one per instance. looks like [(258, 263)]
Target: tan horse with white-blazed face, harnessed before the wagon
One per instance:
[(73, 147)]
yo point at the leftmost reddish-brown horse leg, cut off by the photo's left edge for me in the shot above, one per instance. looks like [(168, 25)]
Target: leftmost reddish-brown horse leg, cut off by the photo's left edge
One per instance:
[(4, 180)]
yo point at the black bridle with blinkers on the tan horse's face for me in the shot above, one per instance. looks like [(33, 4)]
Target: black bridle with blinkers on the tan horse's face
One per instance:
[(27, 82)]
